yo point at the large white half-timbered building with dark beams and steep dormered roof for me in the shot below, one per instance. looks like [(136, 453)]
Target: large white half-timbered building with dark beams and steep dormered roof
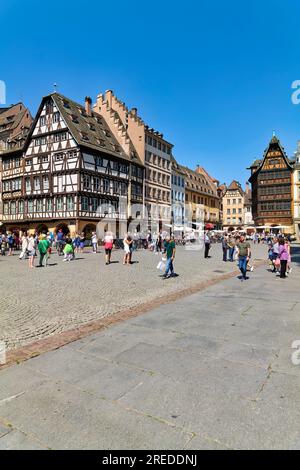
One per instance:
[(73, 173)]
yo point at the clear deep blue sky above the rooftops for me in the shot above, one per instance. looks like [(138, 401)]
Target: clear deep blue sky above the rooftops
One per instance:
[(213, 76)]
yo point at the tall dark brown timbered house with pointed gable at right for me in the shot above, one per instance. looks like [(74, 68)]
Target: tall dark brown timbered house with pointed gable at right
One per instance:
[(271, 180)]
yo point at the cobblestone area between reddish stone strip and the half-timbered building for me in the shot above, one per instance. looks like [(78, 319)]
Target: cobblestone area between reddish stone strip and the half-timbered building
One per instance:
[(44, 301)]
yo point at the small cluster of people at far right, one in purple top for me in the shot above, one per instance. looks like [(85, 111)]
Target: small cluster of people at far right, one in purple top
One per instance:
[(279, 253)]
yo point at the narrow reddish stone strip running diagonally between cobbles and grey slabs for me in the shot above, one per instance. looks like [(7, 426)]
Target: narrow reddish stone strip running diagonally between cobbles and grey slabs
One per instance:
[(56, 341)]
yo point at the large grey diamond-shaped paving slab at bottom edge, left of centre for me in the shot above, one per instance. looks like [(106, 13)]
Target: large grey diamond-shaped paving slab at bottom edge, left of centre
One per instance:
[(65, 417)]
